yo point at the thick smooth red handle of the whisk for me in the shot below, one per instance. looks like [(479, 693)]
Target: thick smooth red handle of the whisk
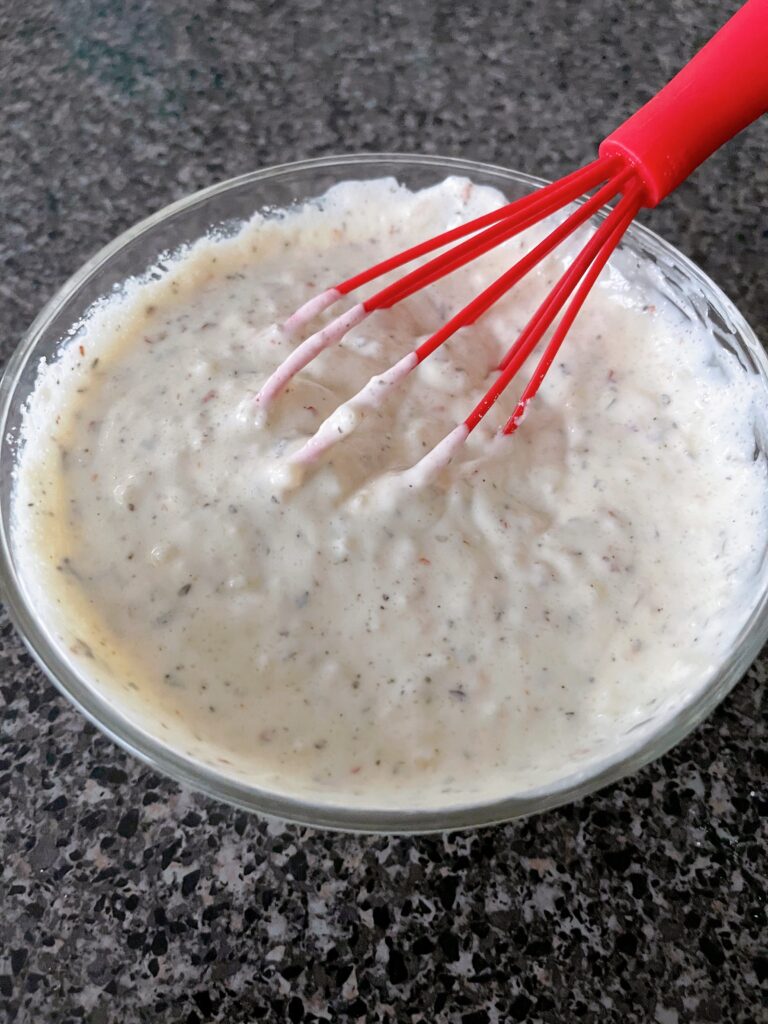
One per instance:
[(719, 93)]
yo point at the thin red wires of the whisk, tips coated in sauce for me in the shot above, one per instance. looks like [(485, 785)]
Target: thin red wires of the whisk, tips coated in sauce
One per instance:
[(608, 179)]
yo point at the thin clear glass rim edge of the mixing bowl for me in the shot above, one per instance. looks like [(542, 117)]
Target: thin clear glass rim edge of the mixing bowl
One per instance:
[(185, 770)]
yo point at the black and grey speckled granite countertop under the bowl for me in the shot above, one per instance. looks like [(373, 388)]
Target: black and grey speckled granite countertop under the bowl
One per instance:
[(125, 898)]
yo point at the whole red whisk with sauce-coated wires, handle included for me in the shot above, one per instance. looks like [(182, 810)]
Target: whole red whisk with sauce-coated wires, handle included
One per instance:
[(718, 94)]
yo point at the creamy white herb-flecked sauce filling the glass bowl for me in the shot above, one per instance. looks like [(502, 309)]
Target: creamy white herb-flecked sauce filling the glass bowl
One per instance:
[(322, 628)]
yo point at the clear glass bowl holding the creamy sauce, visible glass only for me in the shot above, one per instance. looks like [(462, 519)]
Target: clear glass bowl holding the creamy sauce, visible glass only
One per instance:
[(225, 206)]
